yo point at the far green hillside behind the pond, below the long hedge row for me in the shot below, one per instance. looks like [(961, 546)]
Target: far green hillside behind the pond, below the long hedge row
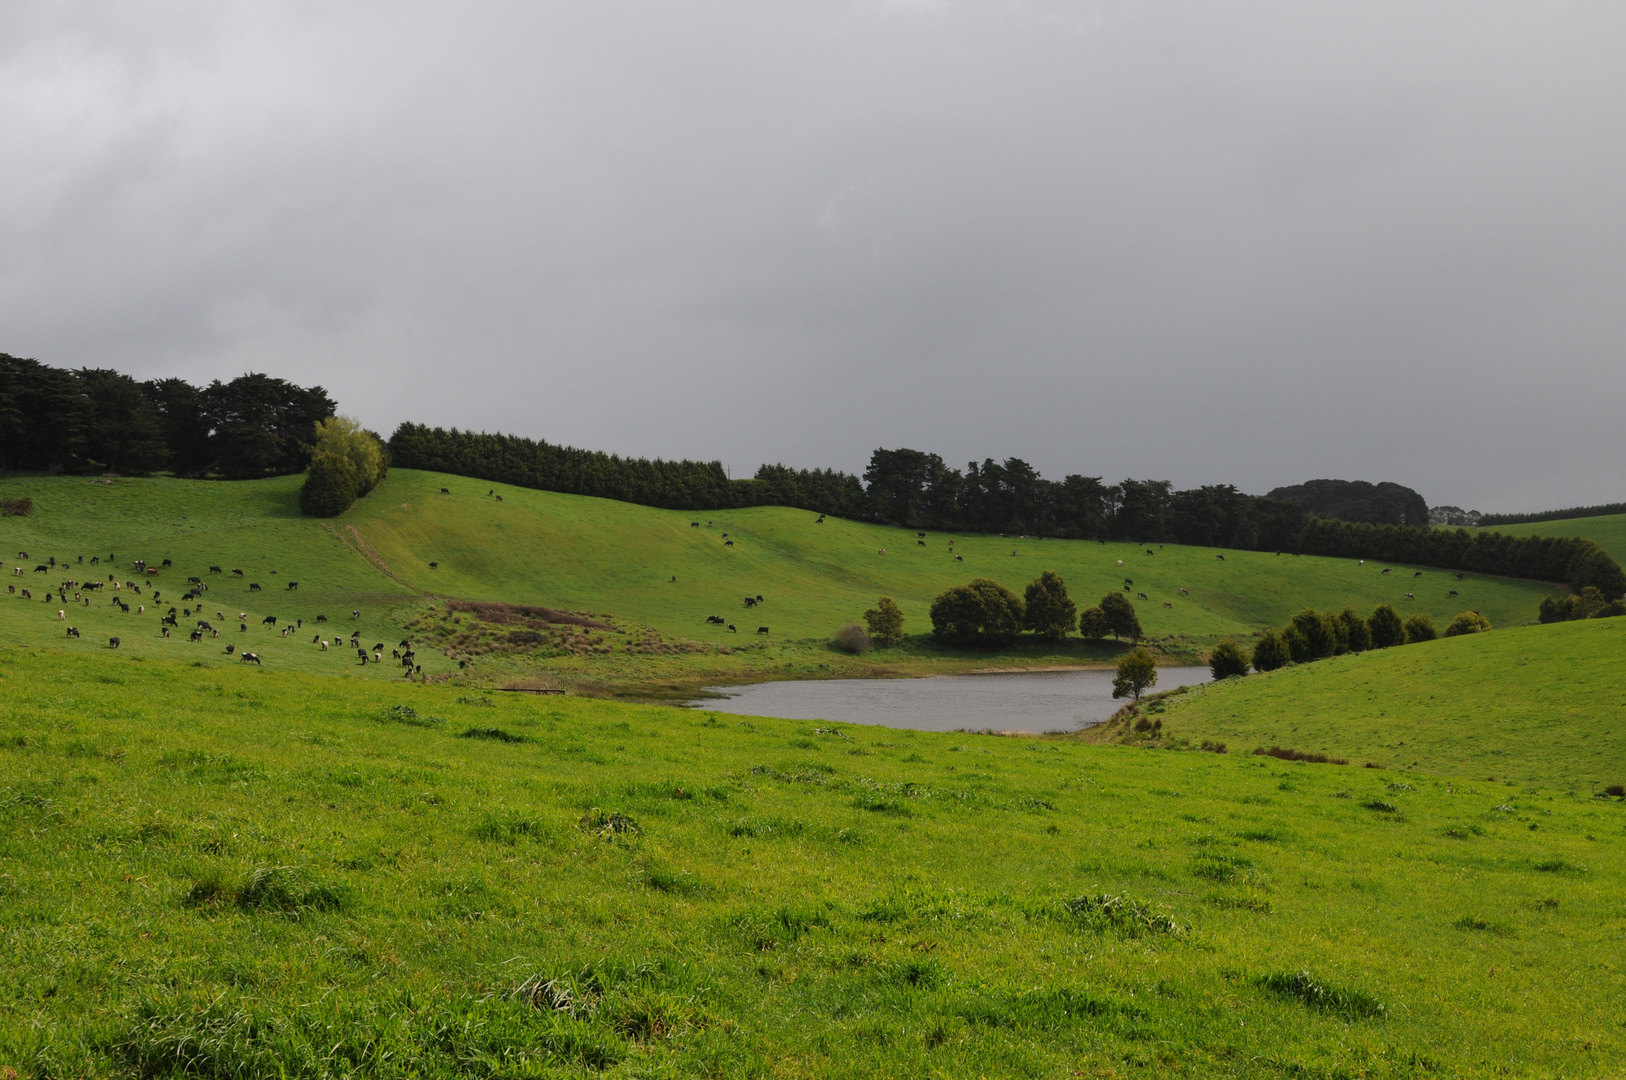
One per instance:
[(620, 560)]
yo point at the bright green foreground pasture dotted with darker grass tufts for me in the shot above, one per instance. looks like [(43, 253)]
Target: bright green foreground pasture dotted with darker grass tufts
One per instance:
[(237, 873)]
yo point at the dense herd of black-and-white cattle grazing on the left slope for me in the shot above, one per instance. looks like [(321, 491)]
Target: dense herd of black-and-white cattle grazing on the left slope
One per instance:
[(196, 590)]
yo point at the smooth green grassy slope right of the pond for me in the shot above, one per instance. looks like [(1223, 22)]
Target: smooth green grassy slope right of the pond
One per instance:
[(1537, 703)]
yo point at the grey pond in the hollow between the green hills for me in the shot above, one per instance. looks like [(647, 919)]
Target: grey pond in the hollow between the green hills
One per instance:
[(1015, 702)]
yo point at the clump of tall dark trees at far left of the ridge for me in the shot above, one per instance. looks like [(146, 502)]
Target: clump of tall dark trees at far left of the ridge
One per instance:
[(100, 420)]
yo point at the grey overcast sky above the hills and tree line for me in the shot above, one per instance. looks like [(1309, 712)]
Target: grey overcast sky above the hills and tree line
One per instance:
[(1248, 243)]
